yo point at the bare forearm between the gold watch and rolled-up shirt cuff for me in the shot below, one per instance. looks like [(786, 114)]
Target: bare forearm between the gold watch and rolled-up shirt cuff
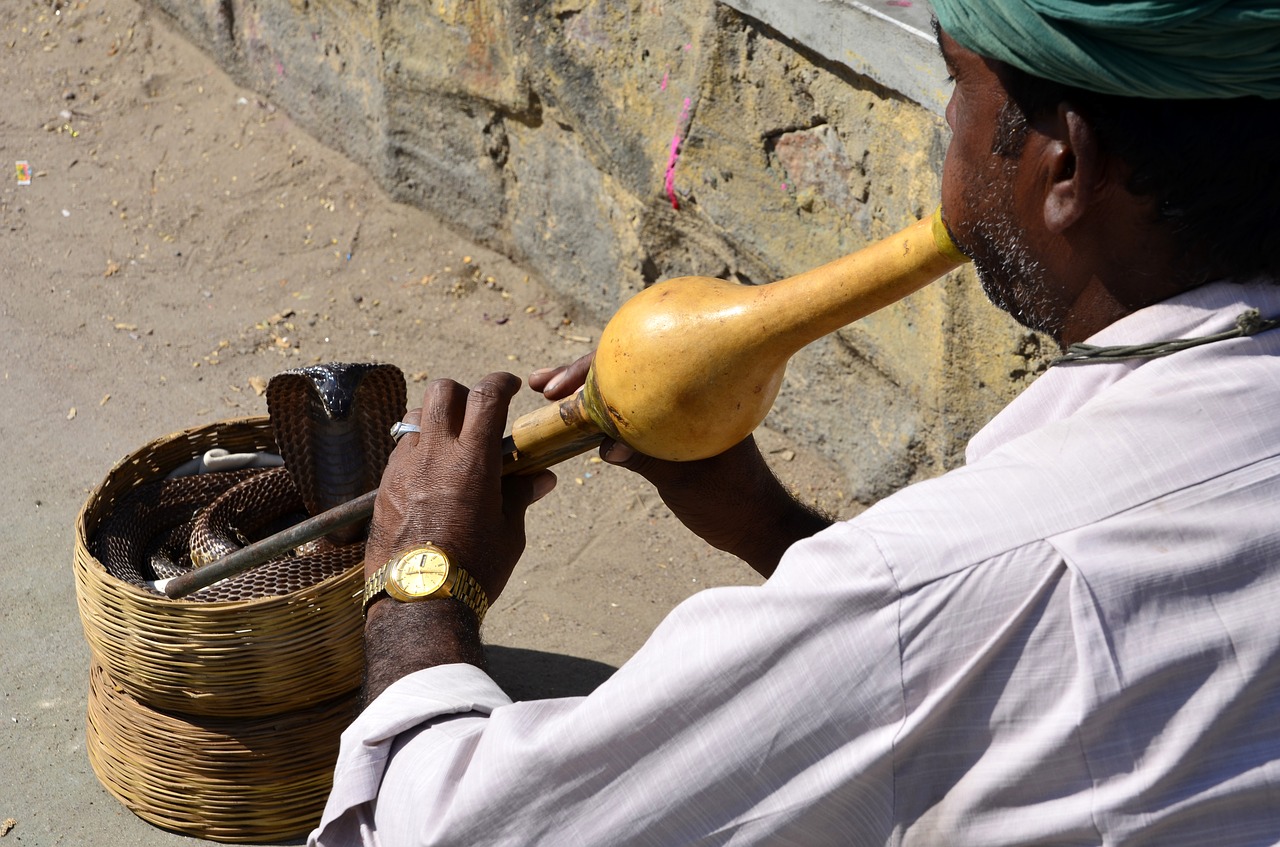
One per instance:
[(404, 638)]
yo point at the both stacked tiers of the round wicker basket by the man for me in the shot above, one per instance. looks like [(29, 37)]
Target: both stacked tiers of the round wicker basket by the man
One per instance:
[(214, 720)]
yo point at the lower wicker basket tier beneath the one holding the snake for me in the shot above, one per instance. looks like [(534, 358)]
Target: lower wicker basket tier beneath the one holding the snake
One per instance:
[(255, 780)]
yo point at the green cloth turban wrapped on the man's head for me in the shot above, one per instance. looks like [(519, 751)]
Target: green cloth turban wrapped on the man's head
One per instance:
[(1156, 49)]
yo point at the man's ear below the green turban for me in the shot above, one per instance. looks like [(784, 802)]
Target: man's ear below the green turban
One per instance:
[(1072, 166)]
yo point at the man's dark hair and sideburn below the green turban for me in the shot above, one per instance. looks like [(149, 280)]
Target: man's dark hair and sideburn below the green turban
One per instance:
[(1213, 167)]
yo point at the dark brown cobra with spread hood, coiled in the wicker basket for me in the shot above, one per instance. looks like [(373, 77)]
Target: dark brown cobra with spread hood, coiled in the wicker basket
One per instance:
[(332, 427)]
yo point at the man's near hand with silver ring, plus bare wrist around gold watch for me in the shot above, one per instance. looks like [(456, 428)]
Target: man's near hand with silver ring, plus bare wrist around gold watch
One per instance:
[(446, 487)]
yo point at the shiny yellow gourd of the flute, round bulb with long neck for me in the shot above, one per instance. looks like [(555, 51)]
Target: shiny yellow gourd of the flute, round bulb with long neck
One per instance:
[(687, 369)]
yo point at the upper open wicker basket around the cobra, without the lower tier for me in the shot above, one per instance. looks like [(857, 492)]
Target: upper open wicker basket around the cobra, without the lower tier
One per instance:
[(235, 660)]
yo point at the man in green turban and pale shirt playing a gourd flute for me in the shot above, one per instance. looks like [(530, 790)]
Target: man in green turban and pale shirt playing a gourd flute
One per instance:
[(1069, 642)]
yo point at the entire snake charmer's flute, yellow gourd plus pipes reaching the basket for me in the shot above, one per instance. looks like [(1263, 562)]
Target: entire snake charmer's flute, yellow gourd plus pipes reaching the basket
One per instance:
[(685, 370)]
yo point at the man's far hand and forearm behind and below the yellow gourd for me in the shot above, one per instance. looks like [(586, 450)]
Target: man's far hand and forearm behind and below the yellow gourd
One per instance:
[(732, 501)]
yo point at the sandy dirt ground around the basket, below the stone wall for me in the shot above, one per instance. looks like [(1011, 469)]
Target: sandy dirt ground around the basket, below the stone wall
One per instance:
[(180, 242)]
